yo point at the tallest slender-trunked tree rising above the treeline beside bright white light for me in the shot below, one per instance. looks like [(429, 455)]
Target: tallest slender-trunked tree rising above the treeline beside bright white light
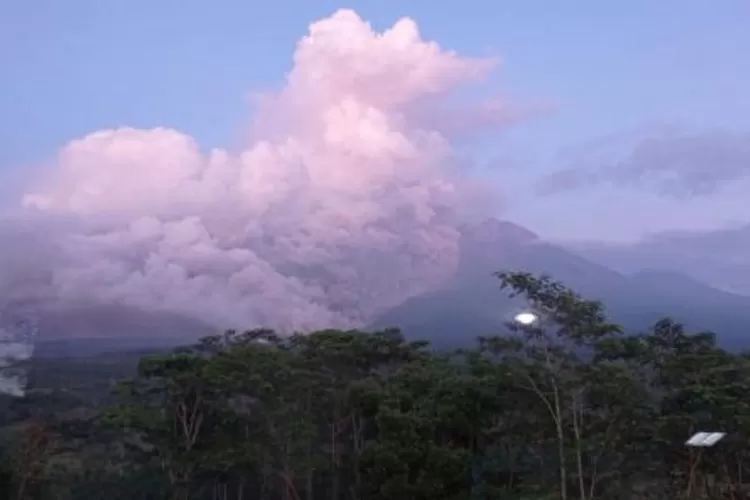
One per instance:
[(550, 359)]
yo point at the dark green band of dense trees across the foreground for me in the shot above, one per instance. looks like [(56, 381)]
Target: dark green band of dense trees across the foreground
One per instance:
[(569, 408)]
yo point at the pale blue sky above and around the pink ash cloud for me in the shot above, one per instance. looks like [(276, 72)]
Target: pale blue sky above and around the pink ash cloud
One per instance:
[(612, 70)]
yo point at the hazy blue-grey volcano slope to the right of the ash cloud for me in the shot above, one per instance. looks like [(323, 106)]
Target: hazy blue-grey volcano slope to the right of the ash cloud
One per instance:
[(472, 304)]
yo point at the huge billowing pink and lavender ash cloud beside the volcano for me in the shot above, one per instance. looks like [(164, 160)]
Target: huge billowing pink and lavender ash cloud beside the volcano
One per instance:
[(344, 203)]
